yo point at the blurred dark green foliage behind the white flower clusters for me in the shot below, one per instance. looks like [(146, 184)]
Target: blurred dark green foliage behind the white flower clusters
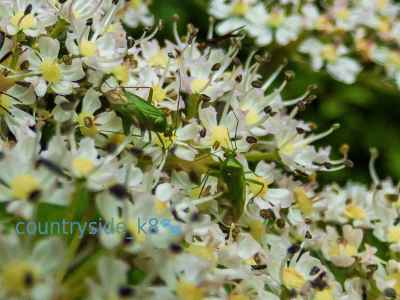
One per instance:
[(368, 111)]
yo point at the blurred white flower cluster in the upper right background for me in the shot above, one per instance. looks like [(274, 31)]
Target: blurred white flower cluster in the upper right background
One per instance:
[(342, 35)]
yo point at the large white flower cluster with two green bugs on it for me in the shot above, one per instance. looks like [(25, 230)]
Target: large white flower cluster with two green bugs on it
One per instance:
[(202, 162)]
